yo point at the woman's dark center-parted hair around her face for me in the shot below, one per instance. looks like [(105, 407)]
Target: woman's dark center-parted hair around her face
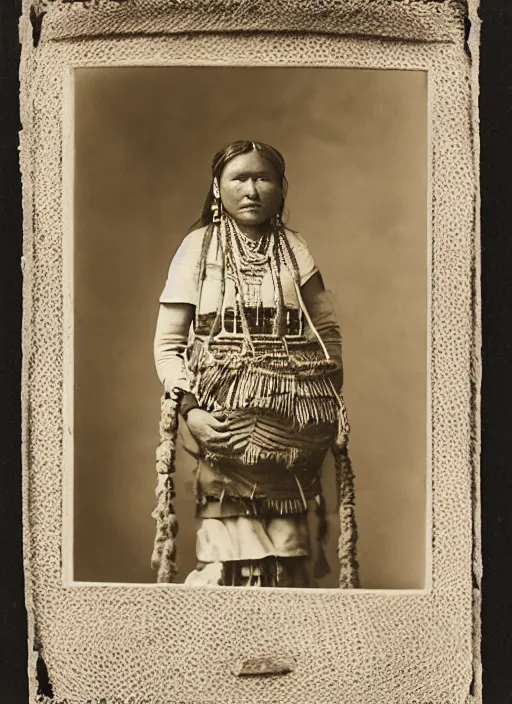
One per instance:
[(224, 156)]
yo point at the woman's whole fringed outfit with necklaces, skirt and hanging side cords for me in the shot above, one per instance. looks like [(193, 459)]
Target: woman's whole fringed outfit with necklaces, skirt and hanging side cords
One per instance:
[(261, 359)]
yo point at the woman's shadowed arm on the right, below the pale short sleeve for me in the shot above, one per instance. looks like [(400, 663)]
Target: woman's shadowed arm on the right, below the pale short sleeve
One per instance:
[(321, 312)]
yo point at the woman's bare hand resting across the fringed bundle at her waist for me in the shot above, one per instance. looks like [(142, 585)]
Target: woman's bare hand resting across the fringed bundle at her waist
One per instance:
[(216, 434)]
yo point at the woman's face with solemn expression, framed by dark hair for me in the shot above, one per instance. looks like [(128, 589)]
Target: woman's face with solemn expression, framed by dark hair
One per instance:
[(251, 189)]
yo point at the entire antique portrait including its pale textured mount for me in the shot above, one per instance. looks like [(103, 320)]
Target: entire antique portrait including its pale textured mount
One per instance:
[(251, 351)]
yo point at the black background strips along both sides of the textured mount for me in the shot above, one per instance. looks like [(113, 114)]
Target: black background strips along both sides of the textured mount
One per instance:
[(496, 472)]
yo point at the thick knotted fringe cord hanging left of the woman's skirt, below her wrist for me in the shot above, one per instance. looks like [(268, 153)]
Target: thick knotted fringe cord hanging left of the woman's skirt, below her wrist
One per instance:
[(163, 559)]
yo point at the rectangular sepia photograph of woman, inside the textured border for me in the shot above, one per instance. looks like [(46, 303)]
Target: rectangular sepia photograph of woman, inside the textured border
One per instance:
[(249, 401)]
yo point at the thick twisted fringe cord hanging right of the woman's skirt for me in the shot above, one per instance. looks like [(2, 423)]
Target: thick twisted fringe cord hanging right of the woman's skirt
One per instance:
[(347, 544)]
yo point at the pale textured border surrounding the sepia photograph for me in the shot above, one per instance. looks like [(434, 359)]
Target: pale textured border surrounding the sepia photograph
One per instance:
[(167, 645)]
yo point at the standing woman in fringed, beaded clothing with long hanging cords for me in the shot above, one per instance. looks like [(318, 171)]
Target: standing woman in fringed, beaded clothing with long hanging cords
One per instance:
[(248, 350)]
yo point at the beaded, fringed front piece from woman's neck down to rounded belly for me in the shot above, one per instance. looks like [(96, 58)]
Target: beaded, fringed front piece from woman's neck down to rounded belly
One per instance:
[(258, 361)]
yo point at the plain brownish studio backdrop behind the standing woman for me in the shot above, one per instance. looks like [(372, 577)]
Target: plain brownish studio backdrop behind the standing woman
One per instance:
[(356, 148)]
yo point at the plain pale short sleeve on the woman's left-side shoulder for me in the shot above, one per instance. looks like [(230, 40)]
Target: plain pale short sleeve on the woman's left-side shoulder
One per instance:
[(183, 276)]
